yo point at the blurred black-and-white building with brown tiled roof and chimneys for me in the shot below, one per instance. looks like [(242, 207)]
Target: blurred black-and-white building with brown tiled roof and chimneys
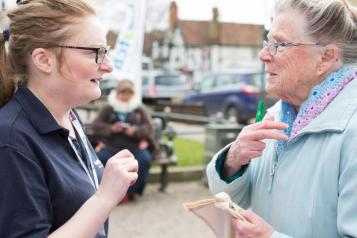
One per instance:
[(203, 46)]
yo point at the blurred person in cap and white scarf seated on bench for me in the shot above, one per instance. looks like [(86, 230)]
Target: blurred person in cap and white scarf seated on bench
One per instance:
[(124, 123)]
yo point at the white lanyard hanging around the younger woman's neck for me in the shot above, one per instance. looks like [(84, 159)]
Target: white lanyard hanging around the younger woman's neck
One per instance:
[(89, 169)]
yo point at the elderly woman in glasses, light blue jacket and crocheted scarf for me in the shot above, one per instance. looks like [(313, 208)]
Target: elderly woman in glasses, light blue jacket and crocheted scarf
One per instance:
[(296, 170)]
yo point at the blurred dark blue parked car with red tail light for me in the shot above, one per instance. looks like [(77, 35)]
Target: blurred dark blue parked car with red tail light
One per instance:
[(235, 93)]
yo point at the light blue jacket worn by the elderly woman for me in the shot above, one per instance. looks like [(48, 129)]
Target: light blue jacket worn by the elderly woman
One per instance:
[(311, 189)]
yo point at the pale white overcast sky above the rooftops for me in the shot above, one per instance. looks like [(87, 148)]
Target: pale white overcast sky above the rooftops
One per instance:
[(112, 12)]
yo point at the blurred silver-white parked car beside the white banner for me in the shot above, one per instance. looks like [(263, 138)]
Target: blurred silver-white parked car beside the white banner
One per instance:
[(164, 85)]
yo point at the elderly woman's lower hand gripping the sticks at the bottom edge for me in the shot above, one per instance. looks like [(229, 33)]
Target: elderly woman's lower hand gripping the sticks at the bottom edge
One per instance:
[(255, 226)]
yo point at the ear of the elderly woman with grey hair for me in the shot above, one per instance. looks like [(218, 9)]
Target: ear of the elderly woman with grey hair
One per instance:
[(330, 59)]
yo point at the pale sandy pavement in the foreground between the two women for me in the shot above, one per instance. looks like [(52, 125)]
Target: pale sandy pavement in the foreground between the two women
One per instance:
[(161, 215)]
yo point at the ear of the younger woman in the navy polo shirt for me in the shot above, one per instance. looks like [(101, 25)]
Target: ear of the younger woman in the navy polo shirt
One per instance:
[(43, 60)]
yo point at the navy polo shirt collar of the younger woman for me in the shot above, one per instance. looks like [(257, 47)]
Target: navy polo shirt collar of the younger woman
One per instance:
[(39, 115)]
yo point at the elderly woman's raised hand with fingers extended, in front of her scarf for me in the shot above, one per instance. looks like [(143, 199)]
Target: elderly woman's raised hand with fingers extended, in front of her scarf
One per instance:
[(249, 145)]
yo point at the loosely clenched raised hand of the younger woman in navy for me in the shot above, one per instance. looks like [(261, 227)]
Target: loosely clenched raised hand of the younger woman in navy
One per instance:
[(120, 172)]
